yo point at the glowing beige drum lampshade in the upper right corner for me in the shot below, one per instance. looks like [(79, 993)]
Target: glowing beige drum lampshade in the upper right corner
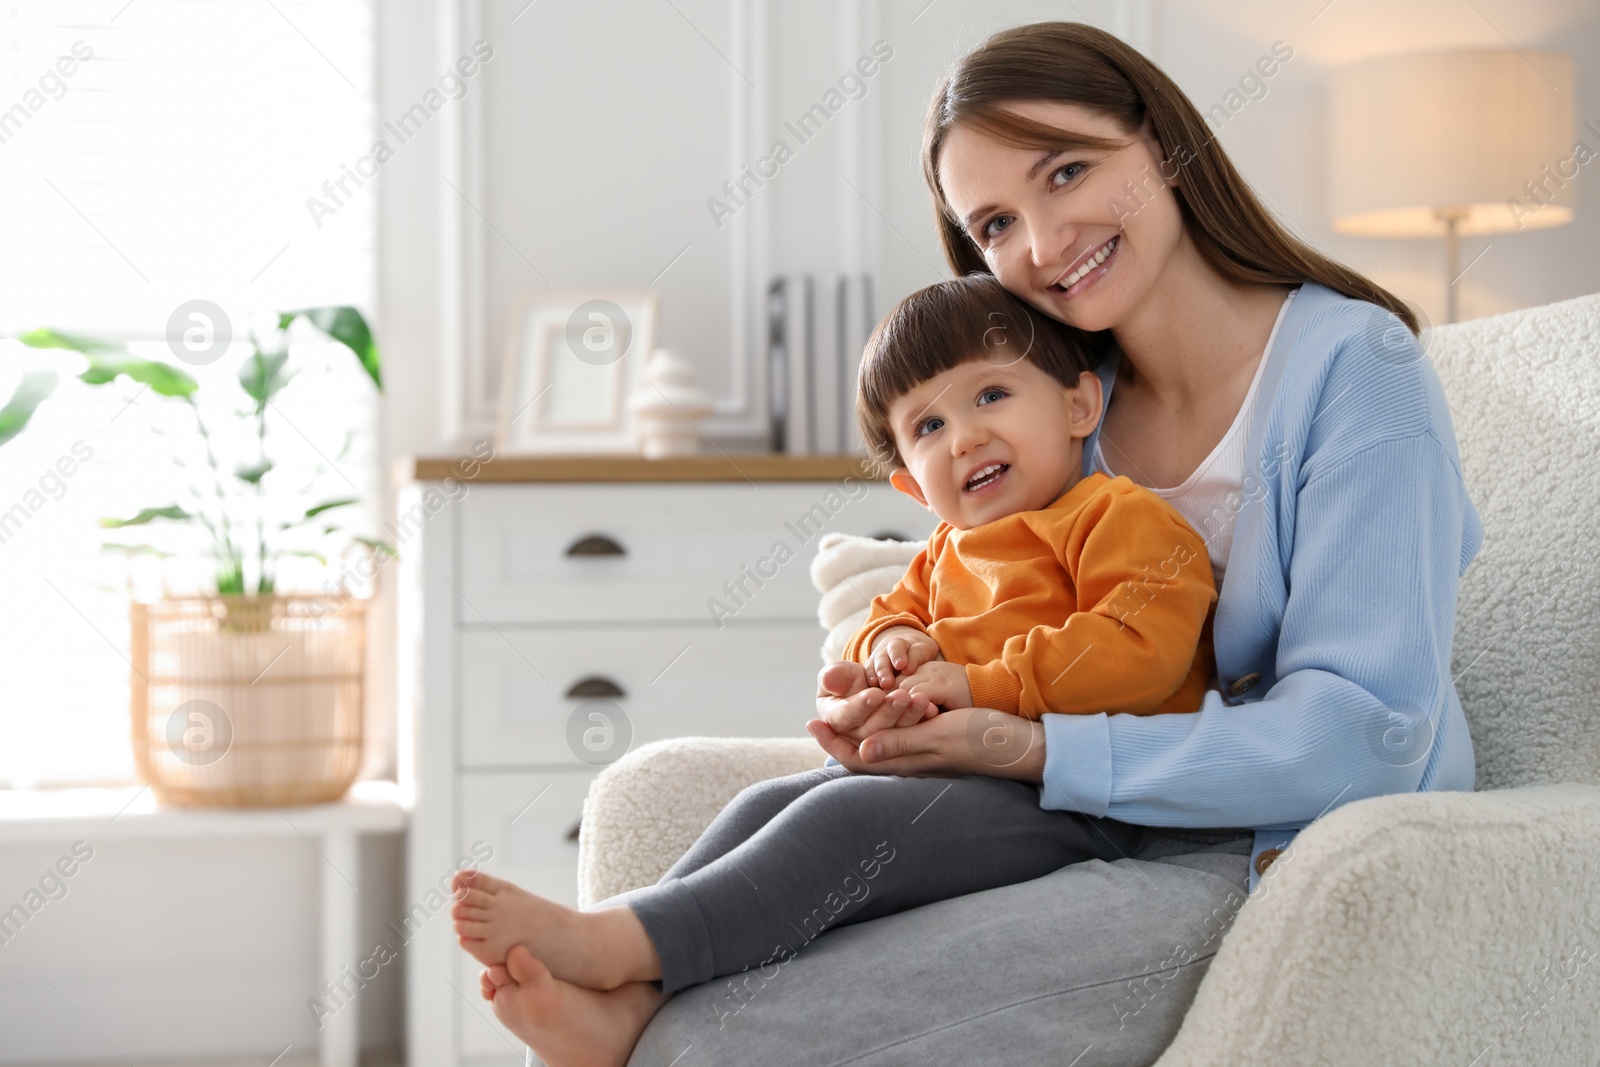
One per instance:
[(1415, 140)]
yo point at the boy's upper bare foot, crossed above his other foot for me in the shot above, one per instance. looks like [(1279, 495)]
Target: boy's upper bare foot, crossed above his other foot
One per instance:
[(593, 949)]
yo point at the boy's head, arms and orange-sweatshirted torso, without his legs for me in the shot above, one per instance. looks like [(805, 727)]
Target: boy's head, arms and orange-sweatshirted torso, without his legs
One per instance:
[(1041, 591)]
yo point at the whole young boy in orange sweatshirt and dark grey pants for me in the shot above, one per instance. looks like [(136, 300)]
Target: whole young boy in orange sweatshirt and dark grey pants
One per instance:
[(1041, 591)]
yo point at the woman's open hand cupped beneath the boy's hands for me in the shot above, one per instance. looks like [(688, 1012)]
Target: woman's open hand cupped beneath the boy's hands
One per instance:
[(967, 741)]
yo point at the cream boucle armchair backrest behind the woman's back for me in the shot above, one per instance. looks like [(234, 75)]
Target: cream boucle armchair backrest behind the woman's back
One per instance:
[(1524, 396)]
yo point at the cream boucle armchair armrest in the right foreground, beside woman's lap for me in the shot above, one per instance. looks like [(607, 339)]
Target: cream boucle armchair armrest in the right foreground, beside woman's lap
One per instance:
[(1417, 929)]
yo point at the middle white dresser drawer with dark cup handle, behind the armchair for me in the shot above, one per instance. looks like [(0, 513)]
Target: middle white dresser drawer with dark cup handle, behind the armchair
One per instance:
[(588, 695)]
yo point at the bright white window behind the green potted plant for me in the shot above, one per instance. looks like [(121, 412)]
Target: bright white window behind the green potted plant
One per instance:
[(156, 153)]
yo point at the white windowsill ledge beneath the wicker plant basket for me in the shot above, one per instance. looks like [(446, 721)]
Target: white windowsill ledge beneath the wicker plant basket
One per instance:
[(132, 813)]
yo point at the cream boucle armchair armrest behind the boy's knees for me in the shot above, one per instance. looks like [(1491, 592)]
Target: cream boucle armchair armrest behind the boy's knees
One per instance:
[(647, 809)]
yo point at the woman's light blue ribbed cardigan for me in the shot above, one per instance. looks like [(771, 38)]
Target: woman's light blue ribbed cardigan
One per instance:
[(1353, 532)]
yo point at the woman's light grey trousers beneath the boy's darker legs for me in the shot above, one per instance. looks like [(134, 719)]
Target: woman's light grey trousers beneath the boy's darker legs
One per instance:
[(1092, 965)]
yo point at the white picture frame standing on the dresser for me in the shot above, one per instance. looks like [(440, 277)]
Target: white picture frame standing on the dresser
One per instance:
[(572, 361)]
